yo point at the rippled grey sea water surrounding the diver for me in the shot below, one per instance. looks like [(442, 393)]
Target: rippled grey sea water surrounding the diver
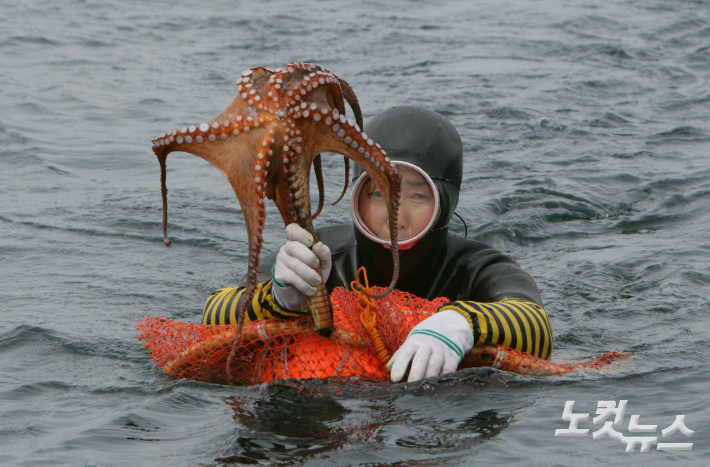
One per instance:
[(586, 128)]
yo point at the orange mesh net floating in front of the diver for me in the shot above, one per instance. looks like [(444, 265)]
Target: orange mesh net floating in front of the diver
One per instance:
[(272, 349)]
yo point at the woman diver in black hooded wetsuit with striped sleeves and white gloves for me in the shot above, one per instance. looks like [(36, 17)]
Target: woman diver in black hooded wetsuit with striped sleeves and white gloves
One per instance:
[(494, 300)]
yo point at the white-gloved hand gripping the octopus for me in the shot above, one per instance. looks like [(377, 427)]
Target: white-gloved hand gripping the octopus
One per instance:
[(294, 273)]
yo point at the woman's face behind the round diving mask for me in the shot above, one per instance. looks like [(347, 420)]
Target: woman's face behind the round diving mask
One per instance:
[(416, 209)]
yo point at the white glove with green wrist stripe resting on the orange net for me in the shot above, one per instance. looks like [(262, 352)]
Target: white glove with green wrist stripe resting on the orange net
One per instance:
[(434, 347)]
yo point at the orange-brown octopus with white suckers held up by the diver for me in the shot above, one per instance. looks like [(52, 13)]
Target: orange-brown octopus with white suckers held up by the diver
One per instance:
[(267, 140)]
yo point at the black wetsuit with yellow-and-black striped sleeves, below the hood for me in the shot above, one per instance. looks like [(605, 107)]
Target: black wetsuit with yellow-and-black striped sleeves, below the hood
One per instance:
[(500, 300)]
